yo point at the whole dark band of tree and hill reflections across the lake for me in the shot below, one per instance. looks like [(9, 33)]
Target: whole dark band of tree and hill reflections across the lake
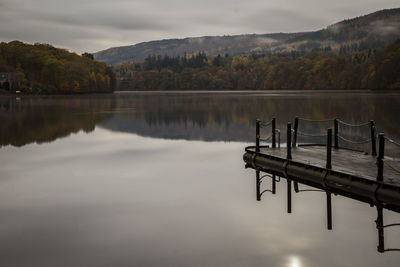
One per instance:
[(190, 116)]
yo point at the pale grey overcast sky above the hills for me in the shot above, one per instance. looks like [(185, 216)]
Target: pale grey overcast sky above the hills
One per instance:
[(93, 25)]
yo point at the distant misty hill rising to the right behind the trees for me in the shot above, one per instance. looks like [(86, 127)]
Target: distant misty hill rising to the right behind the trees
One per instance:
[(374, 30)]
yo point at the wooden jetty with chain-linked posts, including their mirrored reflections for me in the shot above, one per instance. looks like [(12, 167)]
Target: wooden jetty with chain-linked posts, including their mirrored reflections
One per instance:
[(372, 177)]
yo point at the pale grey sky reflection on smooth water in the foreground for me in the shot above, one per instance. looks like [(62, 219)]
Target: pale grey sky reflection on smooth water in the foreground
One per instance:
[(117, 199)]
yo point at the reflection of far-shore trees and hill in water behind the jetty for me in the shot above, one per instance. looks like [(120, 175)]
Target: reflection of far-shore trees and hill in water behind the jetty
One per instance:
[(231, 116)]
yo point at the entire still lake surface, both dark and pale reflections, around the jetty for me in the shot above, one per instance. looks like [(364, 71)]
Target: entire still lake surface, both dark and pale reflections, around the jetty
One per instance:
[(156, 179)]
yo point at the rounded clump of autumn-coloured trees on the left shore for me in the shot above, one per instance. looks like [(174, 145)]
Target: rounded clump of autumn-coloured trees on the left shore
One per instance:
[(42, 68)]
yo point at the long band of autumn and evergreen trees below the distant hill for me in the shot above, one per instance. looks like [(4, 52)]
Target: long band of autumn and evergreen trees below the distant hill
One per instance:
[(370, 69)]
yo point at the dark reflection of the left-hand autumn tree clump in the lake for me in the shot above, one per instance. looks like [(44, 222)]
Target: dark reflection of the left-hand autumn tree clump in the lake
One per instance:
[(45, 119)]
